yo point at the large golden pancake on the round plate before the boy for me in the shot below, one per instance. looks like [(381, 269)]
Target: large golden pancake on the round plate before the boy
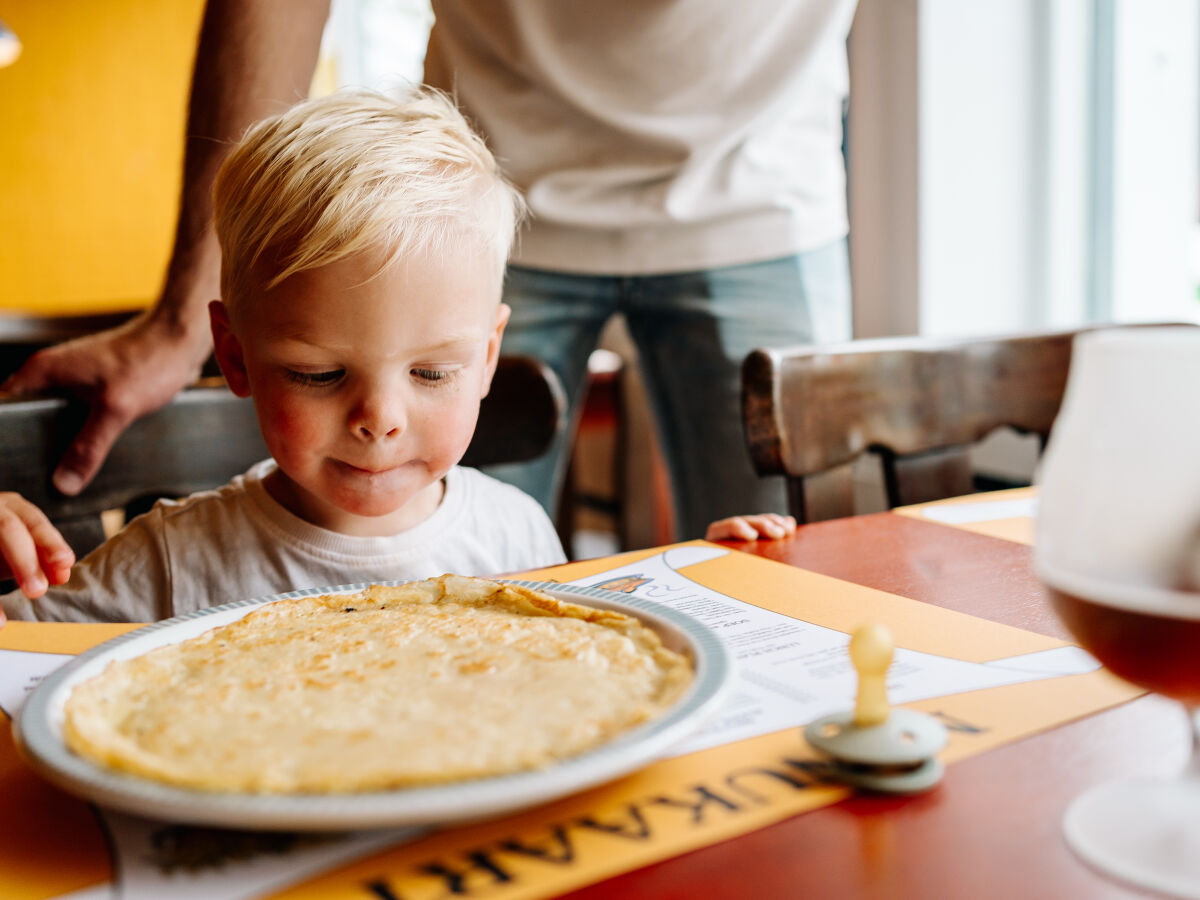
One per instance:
[(425, 683)]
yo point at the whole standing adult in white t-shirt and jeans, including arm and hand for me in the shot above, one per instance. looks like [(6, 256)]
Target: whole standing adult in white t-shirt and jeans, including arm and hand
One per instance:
[(682, 160)]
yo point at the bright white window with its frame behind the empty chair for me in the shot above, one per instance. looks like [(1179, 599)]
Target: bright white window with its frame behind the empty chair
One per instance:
[(1023, 164)]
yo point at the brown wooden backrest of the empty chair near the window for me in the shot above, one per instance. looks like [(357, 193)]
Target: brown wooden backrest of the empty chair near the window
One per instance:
[(917, 403)]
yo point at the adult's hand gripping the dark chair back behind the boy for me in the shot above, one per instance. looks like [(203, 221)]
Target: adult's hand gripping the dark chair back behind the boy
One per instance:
[(122, 375)]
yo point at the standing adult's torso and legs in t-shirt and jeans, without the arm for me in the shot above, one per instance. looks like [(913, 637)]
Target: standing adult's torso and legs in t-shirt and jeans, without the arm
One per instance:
[(683, 166)]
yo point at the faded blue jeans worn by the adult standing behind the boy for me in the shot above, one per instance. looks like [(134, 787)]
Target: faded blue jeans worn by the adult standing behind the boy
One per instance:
[(692, 332)]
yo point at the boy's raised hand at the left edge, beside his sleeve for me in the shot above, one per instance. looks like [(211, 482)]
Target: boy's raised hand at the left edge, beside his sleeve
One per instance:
[(32, 550)]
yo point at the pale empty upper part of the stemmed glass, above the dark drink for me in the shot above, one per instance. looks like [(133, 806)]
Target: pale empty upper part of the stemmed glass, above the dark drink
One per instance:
[(1120, 481)]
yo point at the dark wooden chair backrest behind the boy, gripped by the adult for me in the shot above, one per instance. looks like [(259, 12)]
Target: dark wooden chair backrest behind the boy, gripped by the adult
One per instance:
[(206, 436)]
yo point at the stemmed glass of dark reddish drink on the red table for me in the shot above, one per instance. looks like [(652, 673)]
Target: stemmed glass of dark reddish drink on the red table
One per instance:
[(1119, 553)]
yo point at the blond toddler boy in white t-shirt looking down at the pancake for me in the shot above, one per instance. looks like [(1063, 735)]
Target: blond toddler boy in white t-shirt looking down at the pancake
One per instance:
[(363, 245)]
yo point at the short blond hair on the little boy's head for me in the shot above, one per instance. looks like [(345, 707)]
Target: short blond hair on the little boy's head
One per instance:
[(356, 171)]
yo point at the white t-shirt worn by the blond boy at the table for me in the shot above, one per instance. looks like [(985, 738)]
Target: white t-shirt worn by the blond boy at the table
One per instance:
[(237, 543)]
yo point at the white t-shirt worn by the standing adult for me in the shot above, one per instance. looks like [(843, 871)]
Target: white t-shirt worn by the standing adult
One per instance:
[(657, 136)]
